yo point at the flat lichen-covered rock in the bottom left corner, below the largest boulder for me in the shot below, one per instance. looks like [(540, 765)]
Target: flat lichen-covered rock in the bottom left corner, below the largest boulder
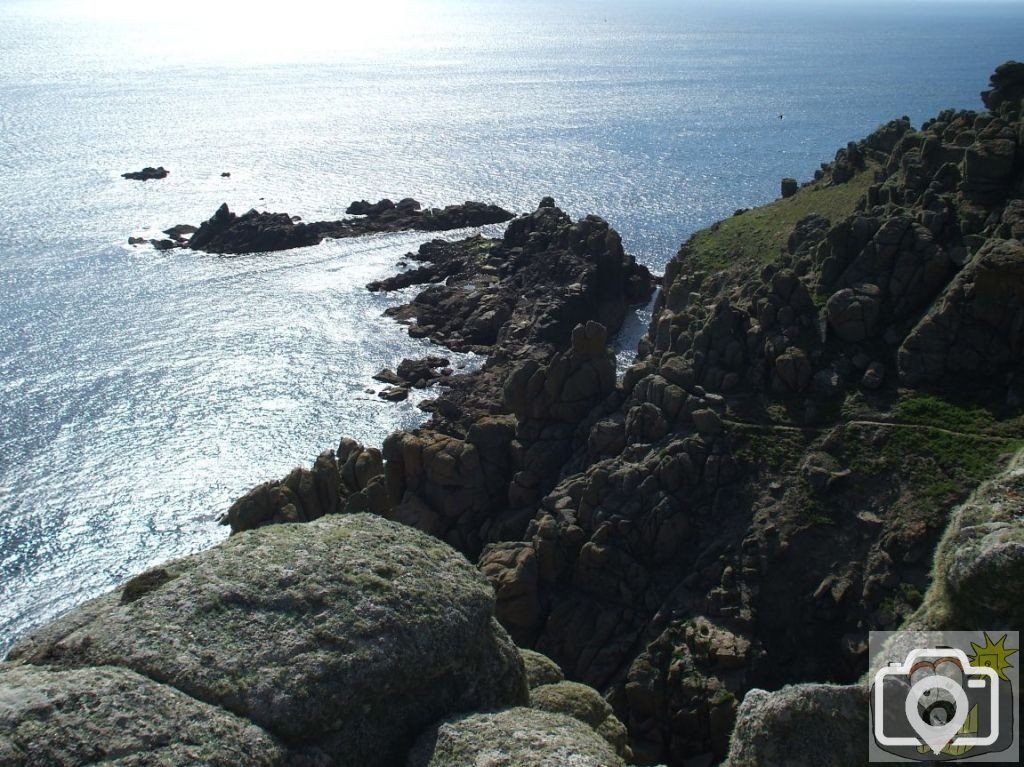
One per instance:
[(116, 717)]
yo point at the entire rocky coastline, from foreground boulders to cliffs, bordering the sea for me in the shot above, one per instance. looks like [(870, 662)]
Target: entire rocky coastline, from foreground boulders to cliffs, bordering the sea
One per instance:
[(822, 436)]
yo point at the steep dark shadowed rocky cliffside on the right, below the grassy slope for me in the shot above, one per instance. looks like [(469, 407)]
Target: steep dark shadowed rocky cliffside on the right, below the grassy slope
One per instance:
[(759, 484)]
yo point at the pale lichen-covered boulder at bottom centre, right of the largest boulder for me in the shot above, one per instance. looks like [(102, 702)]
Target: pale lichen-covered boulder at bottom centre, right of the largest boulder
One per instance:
[(518, 738)]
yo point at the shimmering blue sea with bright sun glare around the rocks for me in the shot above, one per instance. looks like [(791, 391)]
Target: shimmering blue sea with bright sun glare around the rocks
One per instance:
[(142, 393)]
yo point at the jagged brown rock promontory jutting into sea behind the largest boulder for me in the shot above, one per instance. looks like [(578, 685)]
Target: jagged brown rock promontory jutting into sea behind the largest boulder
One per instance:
[(499, 436)]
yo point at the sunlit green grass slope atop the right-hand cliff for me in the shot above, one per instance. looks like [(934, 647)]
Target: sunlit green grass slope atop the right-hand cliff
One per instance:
[(761, 235)]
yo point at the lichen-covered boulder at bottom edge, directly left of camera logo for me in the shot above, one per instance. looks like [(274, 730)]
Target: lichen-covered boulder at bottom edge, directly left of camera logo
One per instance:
[(808, 726)]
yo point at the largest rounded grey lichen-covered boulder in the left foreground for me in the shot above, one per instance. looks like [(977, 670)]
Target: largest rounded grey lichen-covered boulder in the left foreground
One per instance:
[(349, 635)]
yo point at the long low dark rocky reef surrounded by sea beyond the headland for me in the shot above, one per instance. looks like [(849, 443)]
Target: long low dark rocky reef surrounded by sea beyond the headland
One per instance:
[(258, 232)]
